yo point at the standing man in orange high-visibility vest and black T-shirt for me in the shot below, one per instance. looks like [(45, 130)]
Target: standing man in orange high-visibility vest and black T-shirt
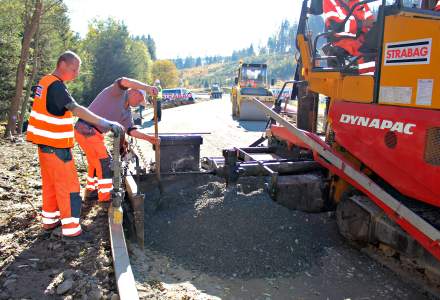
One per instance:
[(51, 128)]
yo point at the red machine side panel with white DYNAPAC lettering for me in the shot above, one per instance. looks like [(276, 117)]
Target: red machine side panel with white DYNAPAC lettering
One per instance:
[(401, 145)]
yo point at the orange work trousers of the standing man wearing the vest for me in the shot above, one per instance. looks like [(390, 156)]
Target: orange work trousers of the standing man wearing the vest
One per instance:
[(61, 198)]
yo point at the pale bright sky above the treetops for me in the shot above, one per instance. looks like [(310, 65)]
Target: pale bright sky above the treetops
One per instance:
[(190, 27)]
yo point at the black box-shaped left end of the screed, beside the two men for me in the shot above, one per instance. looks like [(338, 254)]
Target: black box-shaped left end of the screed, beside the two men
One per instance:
[(179, 164)]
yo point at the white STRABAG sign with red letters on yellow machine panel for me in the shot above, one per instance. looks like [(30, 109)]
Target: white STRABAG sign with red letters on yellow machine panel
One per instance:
[(415, 52)]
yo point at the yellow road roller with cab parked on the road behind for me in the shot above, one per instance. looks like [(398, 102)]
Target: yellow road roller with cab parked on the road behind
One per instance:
[(251, 81)]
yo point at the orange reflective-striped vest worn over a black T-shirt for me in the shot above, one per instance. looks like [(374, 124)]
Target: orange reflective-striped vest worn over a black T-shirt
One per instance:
[(45, 128)]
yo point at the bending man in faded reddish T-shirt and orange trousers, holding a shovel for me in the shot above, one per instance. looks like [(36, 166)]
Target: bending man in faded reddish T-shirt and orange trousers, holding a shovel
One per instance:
[(113, 103)]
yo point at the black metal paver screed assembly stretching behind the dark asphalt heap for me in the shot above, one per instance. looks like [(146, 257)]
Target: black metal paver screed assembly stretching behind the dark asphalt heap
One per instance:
[(274, 173)]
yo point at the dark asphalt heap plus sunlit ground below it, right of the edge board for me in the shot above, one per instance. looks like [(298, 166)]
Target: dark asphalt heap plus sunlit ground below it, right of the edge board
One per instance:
[(206, 242)]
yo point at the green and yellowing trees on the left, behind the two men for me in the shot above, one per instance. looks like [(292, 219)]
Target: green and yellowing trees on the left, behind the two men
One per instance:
[(33, 33)]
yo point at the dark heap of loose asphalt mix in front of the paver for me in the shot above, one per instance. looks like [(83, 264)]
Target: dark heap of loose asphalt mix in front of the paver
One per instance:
[(237, 234)]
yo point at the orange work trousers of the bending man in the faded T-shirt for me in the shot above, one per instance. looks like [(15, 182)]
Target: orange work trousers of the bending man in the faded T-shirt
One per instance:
[(99, 174)]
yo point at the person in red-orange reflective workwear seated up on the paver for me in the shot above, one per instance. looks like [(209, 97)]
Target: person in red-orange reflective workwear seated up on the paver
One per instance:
[(349, 39)]
